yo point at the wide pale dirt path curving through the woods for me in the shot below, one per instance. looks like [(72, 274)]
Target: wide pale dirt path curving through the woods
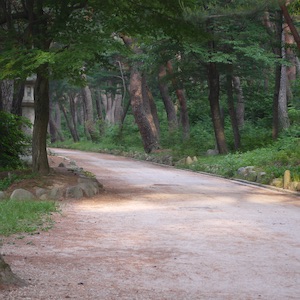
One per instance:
[(161, 233)]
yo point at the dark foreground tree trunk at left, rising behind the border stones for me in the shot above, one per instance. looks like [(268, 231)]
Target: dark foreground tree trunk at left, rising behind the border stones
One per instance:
[(41, 105)]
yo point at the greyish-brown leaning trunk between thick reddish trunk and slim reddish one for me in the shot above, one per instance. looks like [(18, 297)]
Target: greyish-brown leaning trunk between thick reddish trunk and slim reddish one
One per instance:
[(168, 103)]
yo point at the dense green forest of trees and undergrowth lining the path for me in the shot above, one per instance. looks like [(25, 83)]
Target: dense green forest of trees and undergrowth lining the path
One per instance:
[(215, 80)]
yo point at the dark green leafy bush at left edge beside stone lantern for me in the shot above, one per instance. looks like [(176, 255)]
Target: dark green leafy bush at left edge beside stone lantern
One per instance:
[(13, 141)]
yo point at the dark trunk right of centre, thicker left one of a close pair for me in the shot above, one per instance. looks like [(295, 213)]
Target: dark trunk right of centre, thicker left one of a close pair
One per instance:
[(214, 89)]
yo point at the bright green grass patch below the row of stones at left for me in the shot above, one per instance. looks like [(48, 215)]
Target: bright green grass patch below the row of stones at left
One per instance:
[(25, 216)]
